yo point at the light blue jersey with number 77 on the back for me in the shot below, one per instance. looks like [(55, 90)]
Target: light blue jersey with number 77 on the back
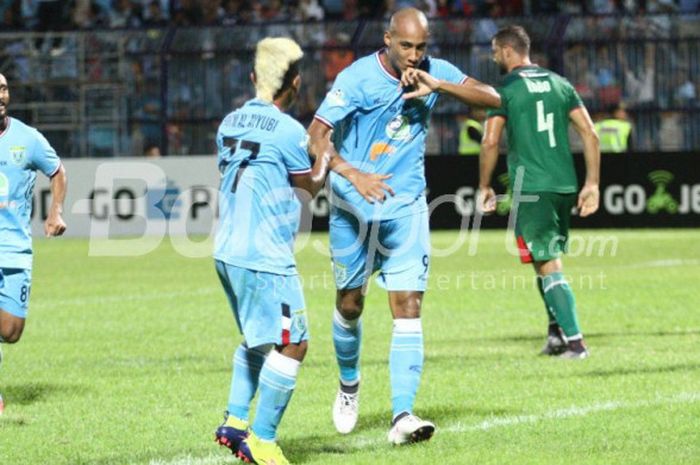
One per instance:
[(259, 148)]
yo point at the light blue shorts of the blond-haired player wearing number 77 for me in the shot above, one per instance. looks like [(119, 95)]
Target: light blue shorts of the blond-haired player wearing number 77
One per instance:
[(269, 308)]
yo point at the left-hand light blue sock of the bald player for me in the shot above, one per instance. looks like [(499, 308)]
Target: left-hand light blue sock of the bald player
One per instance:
[(347, 339)]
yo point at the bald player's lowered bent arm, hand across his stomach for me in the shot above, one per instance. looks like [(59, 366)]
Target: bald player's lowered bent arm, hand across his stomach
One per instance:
[(371, 186)]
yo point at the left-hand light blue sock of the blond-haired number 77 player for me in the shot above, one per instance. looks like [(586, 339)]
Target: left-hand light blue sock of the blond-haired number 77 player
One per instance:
[(244, 380)]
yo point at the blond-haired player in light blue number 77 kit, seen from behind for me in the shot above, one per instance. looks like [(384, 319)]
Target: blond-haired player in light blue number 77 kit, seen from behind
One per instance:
[(262, 157)]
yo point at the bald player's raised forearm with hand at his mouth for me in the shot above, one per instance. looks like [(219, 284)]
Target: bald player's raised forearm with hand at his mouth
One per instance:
[(470, 92)]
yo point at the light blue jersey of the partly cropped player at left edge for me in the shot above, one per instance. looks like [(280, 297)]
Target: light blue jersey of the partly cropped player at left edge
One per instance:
[(23, 151)]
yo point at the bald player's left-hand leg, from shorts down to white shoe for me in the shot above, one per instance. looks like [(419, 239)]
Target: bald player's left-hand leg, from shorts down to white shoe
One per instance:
[(349, 253)]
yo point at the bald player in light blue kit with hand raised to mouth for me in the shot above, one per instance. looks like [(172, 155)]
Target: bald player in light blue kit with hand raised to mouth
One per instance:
[(379, 110)]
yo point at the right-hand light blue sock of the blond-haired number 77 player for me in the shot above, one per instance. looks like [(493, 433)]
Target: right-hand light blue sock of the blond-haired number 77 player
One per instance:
[(277, 380)]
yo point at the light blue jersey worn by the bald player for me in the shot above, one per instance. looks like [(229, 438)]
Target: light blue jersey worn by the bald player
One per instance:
[(378, 132)]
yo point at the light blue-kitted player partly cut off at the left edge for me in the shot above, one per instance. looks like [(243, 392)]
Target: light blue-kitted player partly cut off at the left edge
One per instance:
[(23, 152)]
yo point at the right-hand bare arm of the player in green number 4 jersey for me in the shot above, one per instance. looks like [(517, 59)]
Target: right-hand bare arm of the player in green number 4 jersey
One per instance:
[(589, 197)]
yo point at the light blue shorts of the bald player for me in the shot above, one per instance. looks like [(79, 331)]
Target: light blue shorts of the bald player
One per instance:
[(399, 249)]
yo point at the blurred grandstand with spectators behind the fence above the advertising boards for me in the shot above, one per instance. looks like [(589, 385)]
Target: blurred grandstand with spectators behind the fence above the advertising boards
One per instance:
[(110, 78)]
